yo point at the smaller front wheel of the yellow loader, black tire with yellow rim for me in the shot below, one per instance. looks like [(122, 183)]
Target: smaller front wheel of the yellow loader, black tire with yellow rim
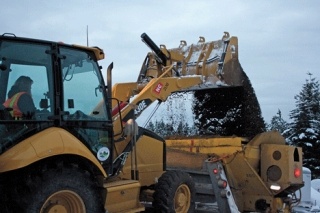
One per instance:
[(174, 192)]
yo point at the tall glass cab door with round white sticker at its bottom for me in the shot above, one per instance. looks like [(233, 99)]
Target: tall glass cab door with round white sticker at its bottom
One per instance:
[(85, 104)]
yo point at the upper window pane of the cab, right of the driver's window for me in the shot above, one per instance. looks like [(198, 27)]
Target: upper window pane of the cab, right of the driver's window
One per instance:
[(82, 85)]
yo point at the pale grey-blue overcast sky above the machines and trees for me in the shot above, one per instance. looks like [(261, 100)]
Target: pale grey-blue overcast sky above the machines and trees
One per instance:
[(279, 41)]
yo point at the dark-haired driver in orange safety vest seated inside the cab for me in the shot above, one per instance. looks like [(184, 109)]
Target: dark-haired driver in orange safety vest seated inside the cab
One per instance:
[(20, 100)]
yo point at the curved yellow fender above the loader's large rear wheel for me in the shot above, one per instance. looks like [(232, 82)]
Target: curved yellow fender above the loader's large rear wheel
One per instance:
[(50, 142)]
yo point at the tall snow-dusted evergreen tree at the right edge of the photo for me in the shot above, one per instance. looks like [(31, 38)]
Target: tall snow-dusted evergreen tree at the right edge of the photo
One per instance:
[(304, 130)]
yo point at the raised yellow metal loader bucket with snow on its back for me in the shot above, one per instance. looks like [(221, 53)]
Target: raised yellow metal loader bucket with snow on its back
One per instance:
[(217, 61)]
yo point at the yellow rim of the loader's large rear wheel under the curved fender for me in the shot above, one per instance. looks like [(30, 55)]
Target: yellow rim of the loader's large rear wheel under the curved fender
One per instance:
[(64, 201)]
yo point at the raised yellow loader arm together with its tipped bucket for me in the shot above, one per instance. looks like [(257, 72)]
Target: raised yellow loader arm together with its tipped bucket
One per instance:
[(197, 66)]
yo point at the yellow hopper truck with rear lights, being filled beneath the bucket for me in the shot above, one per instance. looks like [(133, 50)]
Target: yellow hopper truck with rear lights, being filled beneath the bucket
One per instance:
[(241, 176)]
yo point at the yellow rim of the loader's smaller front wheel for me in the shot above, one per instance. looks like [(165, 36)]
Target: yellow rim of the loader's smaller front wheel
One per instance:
[(182, 199)]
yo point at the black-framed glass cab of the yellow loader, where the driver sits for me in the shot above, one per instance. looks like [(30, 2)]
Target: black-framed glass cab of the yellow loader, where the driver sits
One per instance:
[(68, 92)]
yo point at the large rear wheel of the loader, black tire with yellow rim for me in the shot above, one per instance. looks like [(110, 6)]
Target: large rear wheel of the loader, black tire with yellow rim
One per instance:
[(66, 190)]
